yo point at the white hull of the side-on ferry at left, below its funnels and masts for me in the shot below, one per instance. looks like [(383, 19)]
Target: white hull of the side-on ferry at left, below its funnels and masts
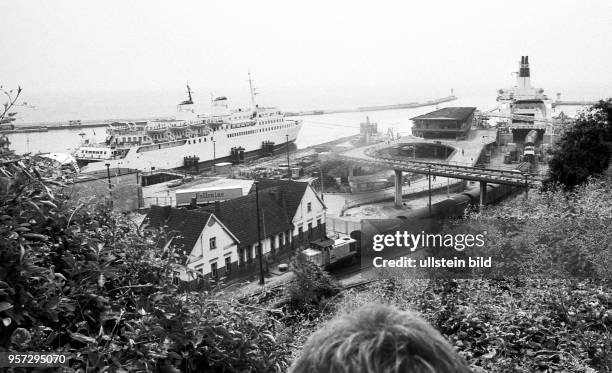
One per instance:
[(215, 146)]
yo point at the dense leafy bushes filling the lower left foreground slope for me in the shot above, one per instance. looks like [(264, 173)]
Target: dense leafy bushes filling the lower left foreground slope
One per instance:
[(86, 281)]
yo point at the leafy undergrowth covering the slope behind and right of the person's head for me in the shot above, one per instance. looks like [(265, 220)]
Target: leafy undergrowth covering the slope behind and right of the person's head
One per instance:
[(559, 322)]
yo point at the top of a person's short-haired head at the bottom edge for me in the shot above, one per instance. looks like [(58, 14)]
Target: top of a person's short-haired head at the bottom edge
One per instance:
[(378, 339)]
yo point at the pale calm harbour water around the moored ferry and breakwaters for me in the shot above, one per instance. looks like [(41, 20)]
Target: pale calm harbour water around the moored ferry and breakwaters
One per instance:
[(316, 129)]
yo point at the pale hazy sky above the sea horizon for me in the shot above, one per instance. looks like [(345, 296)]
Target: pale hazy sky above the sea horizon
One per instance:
[(157, 45)]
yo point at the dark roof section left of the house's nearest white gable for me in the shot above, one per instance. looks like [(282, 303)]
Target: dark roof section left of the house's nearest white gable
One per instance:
[(188, 224)]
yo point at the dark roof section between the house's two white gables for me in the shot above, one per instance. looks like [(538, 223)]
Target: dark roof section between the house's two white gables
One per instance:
[(239, 215)]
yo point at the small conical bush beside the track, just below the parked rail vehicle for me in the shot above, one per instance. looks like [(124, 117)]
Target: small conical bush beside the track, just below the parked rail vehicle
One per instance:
[(310, 285)]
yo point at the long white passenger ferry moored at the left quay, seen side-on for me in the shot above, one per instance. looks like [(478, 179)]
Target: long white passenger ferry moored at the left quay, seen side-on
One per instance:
[(224, 134)]
